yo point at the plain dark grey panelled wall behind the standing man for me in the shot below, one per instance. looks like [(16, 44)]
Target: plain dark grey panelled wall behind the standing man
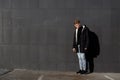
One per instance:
[(37, 34)]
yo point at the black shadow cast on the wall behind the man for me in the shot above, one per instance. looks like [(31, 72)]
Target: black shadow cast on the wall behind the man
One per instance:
[(93, 51)]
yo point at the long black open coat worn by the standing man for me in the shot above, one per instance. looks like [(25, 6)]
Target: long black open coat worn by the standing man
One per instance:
[(83, 39)]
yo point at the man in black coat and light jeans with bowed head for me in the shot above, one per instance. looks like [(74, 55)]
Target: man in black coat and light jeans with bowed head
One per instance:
[(80, 44)]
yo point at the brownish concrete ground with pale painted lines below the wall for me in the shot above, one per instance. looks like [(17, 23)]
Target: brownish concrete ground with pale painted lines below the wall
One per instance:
[(22, 74)]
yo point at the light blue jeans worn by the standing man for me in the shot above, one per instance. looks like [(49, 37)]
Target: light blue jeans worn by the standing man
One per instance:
[(82, 59)]
